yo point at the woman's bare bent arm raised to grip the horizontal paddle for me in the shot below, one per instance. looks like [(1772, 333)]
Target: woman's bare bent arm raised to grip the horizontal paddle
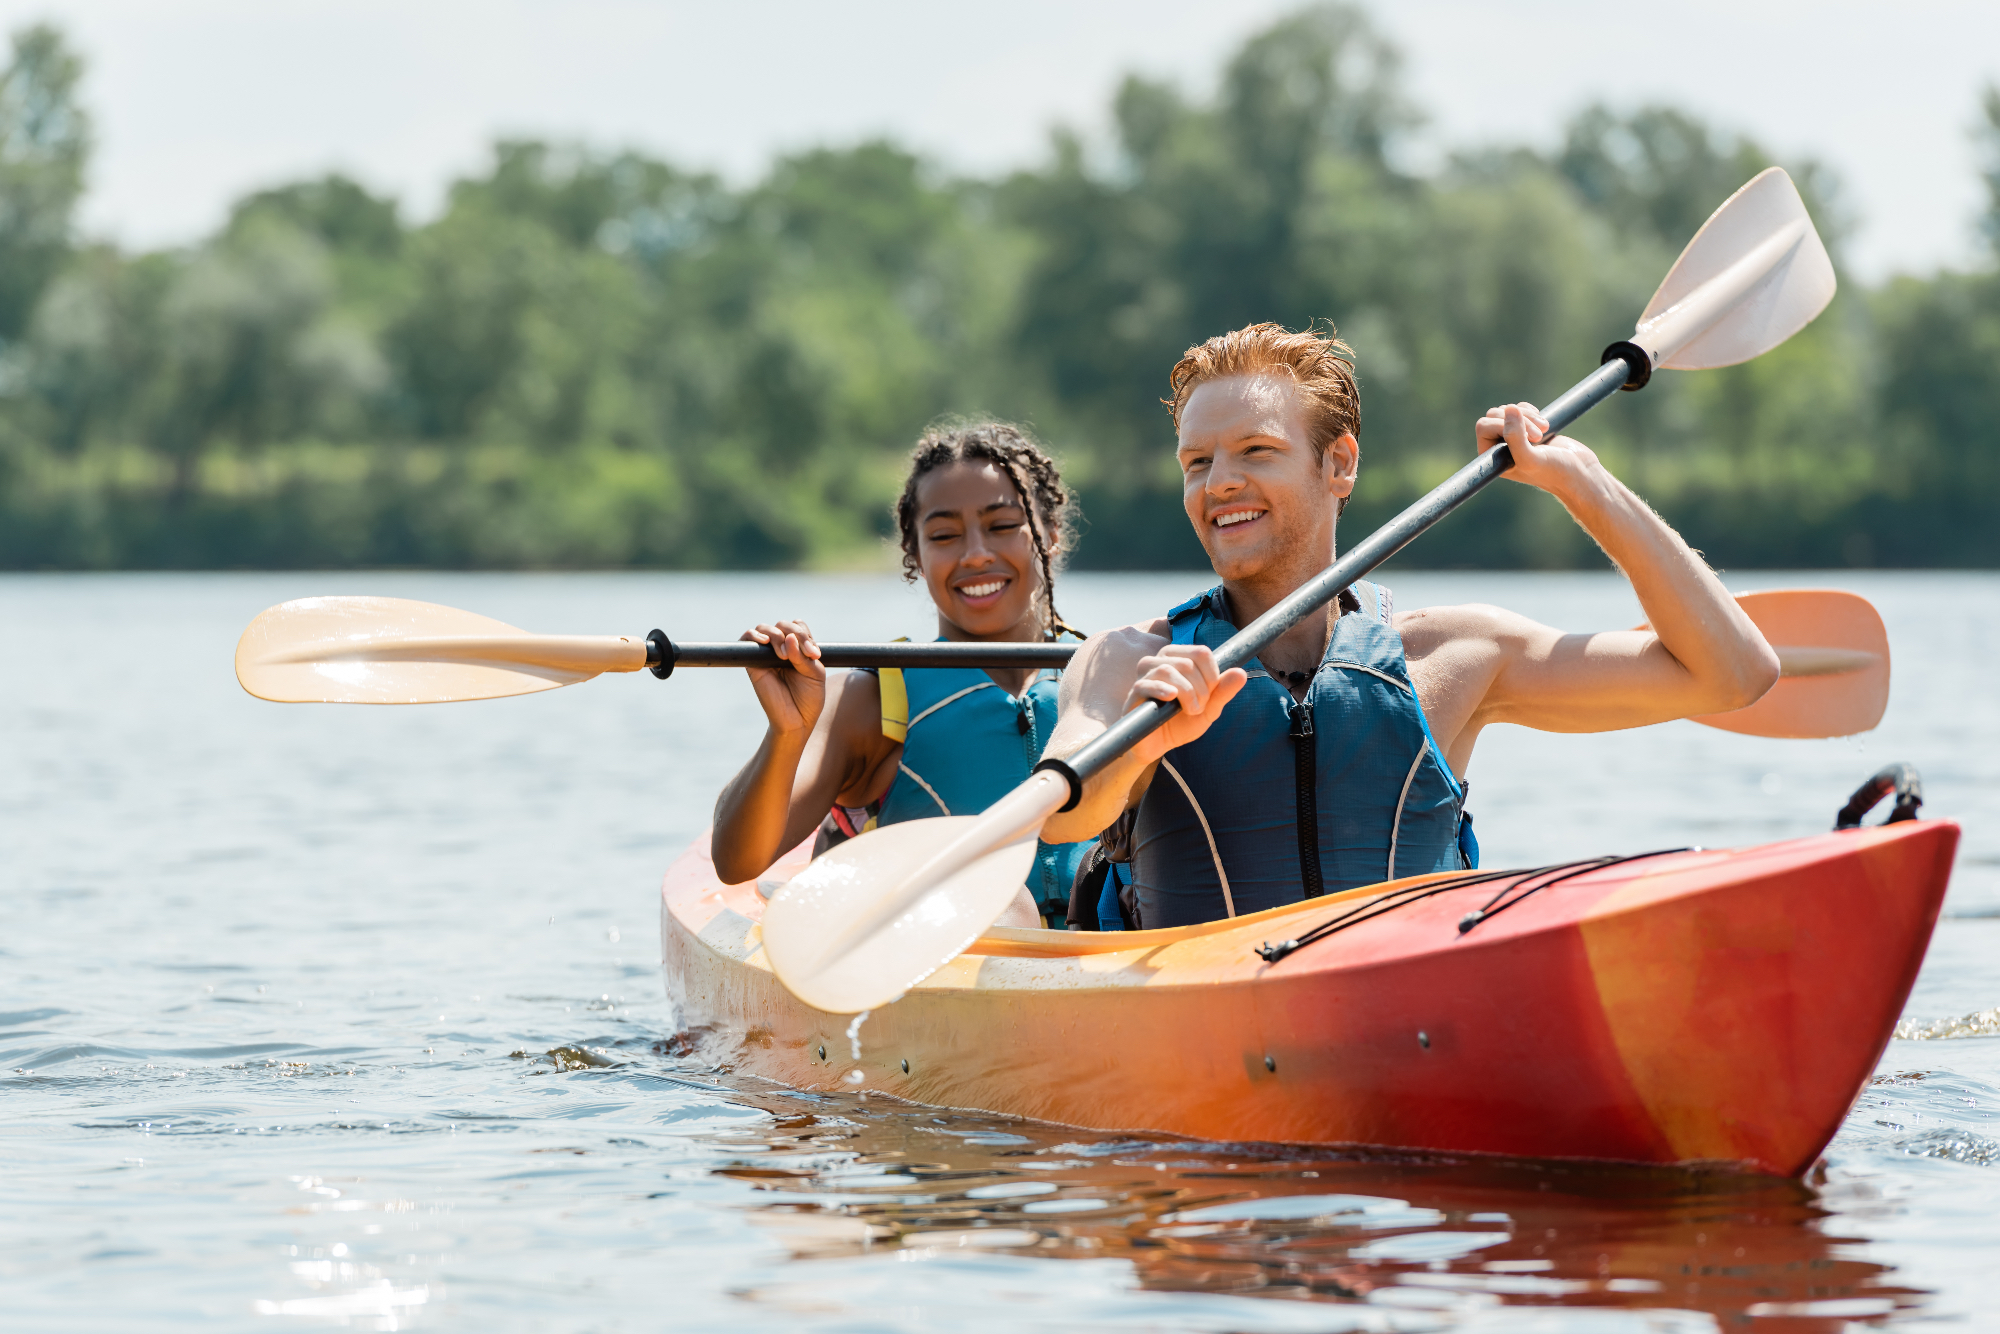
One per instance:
[(823, 743)]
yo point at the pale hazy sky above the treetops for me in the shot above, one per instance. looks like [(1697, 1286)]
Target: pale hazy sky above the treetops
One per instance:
[(203, 101)]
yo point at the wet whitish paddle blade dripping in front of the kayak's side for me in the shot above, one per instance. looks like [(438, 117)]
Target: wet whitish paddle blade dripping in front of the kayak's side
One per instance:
[(863, 879)]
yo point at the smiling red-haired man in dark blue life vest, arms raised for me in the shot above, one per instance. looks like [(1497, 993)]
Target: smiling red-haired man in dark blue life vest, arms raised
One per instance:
[(1337, 759)]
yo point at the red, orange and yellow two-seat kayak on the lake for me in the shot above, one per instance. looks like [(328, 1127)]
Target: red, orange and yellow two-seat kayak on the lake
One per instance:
[(1669, 1009)]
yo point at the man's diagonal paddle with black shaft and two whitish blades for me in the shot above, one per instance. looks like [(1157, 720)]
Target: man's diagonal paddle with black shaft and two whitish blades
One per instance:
[(885, 911)]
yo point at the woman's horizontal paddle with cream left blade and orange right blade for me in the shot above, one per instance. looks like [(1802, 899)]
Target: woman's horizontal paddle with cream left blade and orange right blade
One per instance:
[(393, 651)]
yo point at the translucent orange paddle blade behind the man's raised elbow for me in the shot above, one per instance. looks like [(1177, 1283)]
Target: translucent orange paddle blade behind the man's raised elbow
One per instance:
[(1835, 659)]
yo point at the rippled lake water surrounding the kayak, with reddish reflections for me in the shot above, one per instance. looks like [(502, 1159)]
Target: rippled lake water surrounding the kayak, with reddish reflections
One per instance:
[(343, 1017)]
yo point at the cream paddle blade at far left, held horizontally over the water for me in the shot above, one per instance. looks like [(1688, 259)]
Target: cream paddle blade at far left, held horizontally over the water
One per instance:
[(393, 651)]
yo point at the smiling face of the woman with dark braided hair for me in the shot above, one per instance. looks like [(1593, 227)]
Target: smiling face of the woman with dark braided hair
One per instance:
[(977, 551)]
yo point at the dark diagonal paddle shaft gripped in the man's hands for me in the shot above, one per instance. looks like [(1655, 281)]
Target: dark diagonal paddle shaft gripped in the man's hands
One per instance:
[(1625, 365)]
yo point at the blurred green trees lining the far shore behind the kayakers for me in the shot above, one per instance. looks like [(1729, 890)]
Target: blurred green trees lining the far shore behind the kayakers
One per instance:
[(605, 361)]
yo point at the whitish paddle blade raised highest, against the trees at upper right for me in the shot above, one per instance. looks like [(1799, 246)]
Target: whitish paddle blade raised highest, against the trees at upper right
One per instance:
[(1753, 277)]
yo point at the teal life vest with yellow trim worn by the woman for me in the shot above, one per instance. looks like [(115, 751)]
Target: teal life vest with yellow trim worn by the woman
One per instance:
[(965, 745)]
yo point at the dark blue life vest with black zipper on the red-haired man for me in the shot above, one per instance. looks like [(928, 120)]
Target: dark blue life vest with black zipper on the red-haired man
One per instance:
[(1219, 831)]
